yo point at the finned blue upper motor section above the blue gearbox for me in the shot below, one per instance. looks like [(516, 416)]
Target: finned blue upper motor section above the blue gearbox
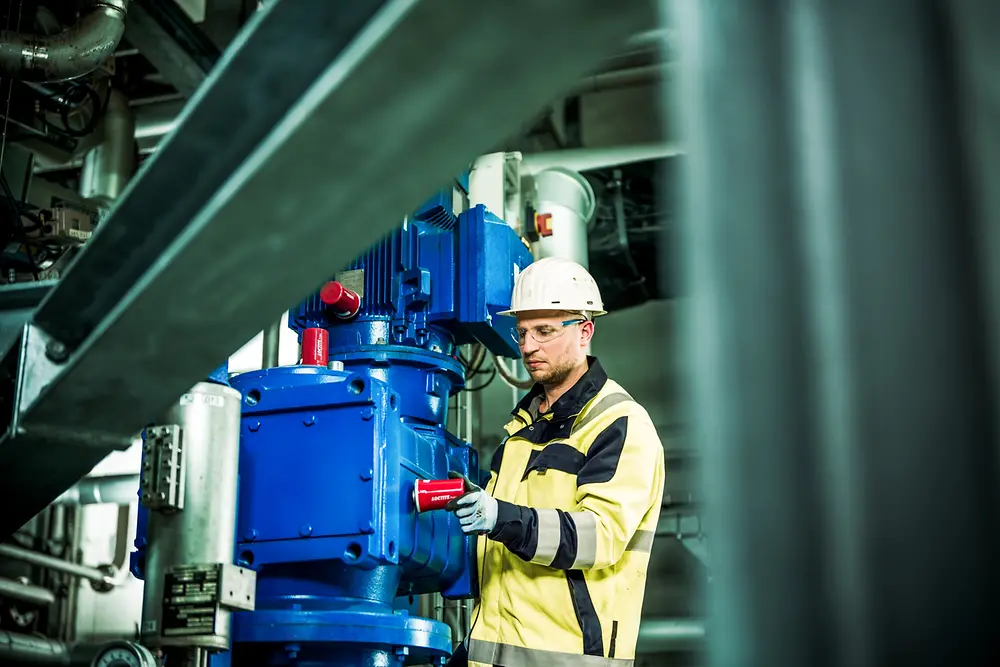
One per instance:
[(432, 287)]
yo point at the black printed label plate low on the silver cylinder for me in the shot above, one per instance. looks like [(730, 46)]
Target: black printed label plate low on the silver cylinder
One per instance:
[(190, 601)]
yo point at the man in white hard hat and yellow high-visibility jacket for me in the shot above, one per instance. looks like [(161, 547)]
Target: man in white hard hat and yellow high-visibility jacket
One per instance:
[(568, 515)]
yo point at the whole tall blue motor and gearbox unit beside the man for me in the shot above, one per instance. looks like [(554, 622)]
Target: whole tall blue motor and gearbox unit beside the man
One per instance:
[(329, 455)]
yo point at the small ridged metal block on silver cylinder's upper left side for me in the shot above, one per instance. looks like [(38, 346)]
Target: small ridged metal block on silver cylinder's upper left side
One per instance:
[(162, 478)]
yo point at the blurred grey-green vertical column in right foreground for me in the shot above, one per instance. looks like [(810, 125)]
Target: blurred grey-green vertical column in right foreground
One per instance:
[(840, 372)]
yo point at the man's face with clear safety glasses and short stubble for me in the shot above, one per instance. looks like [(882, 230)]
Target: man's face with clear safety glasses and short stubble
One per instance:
[(553, 343)]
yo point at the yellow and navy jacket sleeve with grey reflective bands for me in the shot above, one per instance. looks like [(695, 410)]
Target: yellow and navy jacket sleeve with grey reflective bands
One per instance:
[(620, 481)]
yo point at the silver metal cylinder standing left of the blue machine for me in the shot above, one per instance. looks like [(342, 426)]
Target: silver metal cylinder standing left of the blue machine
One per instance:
[(203, 531)]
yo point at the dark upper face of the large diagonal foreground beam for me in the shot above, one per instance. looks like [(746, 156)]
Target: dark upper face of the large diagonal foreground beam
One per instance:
[(254, 85)]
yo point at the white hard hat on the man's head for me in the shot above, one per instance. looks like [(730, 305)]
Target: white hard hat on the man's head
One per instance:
[(554, 283)]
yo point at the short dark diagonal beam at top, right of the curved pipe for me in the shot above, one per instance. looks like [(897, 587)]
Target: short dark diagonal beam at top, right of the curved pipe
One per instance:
[(172, 43)]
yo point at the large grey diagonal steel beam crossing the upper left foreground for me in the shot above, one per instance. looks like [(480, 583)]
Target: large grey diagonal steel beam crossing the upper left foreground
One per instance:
[(147, 309)]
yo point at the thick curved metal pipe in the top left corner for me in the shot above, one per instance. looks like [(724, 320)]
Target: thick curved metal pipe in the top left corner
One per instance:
[(69, 54)]
